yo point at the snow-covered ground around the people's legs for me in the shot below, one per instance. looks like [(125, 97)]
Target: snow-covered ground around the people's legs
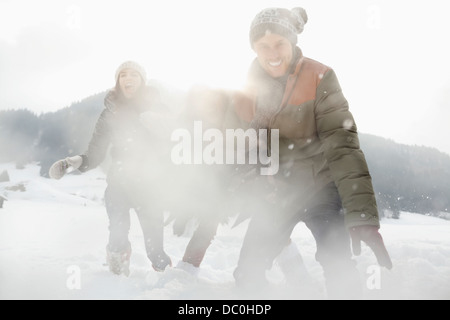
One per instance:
[(53, 238)]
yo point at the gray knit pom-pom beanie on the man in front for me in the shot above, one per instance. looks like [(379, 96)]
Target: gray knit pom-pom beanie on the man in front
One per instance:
[(286, 23)]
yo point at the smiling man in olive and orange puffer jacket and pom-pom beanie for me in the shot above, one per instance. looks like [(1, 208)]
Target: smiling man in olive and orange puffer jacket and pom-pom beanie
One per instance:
[(322, 168)]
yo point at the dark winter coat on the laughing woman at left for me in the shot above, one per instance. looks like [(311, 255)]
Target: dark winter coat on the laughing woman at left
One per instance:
[(137, 156)]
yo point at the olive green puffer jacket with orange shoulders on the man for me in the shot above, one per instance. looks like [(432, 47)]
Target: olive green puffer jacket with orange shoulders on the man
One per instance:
[(318, 141)]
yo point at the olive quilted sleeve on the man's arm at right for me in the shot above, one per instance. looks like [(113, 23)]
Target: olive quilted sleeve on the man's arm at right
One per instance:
[(338, 133)]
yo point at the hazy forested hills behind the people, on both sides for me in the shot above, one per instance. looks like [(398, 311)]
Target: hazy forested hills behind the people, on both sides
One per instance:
[(405, 178)]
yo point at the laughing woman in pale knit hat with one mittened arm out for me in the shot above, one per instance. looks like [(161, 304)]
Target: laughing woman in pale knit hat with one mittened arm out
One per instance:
[(137, 169)]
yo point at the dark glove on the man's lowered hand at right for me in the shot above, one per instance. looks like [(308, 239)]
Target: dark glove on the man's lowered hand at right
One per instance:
[(371, 236)]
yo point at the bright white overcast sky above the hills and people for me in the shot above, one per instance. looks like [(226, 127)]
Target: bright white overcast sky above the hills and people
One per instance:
[(391, 57)]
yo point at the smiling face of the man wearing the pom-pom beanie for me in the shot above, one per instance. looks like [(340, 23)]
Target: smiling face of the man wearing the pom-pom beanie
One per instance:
[(274, 54)]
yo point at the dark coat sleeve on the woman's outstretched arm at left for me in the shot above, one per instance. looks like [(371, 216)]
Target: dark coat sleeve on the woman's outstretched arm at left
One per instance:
[(99, 143)]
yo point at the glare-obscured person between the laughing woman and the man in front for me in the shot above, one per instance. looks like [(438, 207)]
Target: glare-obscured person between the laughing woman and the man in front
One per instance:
[(202, 189)]
